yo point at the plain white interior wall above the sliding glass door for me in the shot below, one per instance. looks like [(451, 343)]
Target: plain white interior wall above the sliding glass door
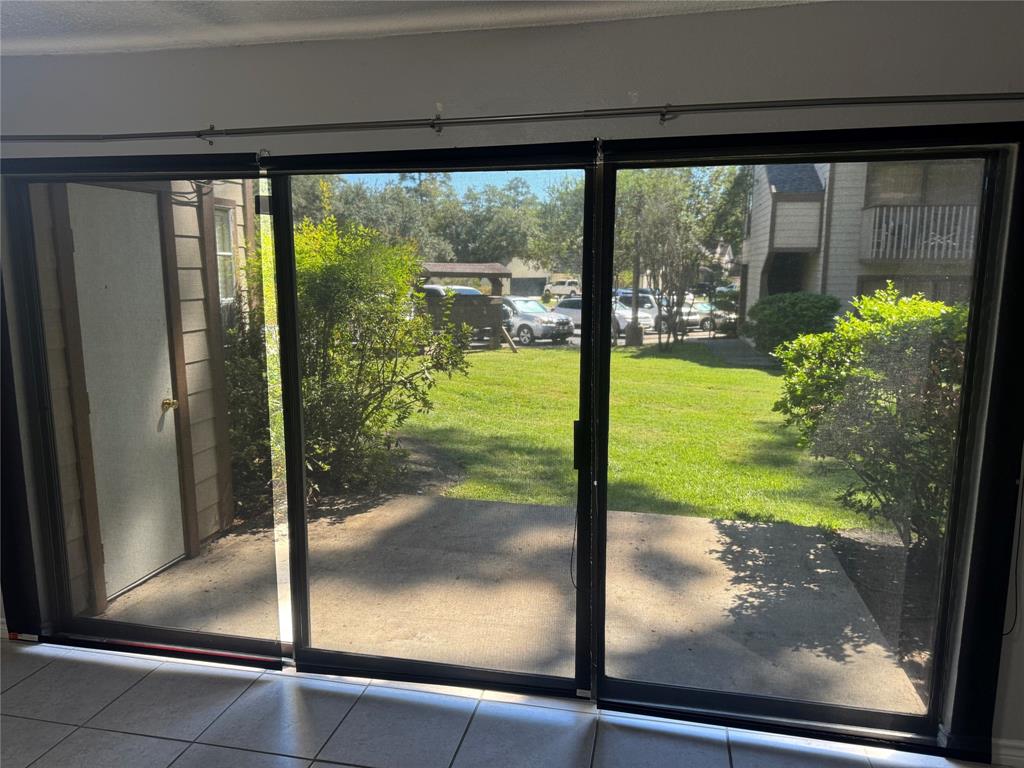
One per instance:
[(817, 51)]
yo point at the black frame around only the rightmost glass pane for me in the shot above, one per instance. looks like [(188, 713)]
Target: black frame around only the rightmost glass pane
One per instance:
[(969, 733)]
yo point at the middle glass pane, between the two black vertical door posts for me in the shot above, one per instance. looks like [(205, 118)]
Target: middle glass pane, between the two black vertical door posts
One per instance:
[(442, 491)]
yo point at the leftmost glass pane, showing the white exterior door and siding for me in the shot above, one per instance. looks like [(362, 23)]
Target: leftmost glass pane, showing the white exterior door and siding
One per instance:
[(160, 405)]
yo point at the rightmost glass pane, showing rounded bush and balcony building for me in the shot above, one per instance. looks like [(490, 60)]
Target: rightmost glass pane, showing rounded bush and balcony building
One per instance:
[(782, 454)]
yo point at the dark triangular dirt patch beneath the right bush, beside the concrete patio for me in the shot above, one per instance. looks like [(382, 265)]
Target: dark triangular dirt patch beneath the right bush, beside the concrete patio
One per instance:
[(902, 599)]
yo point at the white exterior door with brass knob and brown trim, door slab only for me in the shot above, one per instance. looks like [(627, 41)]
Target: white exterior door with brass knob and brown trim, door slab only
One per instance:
[(123, 317)]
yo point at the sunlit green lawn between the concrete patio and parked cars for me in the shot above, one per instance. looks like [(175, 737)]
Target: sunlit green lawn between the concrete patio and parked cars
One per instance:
[(689, 436)]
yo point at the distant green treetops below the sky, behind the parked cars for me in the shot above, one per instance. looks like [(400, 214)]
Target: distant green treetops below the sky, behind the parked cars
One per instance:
[(669, 221)]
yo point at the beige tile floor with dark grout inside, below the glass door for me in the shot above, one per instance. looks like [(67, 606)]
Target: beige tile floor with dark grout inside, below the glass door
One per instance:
[(91, 709)]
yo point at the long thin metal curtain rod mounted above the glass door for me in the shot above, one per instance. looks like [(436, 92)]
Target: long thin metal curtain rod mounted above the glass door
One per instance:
[(438, 123)]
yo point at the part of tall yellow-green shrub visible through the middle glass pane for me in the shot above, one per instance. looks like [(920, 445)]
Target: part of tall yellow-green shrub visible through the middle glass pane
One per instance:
[(370, 355)]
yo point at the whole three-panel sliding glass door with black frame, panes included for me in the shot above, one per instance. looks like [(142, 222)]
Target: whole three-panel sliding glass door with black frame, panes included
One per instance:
[(688, 434)]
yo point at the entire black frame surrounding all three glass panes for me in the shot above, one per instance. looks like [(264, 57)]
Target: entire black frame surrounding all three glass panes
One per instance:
[(966, 721)]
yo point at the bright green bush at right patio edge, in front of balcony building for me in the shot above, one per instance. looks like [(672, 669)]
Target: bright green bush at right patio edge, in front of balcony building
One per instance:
[(881, 394)]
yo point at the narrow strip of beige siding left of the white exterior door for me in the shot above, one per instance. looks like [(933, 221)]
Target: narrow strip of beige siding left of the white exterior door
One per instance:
[(57, 363)]
